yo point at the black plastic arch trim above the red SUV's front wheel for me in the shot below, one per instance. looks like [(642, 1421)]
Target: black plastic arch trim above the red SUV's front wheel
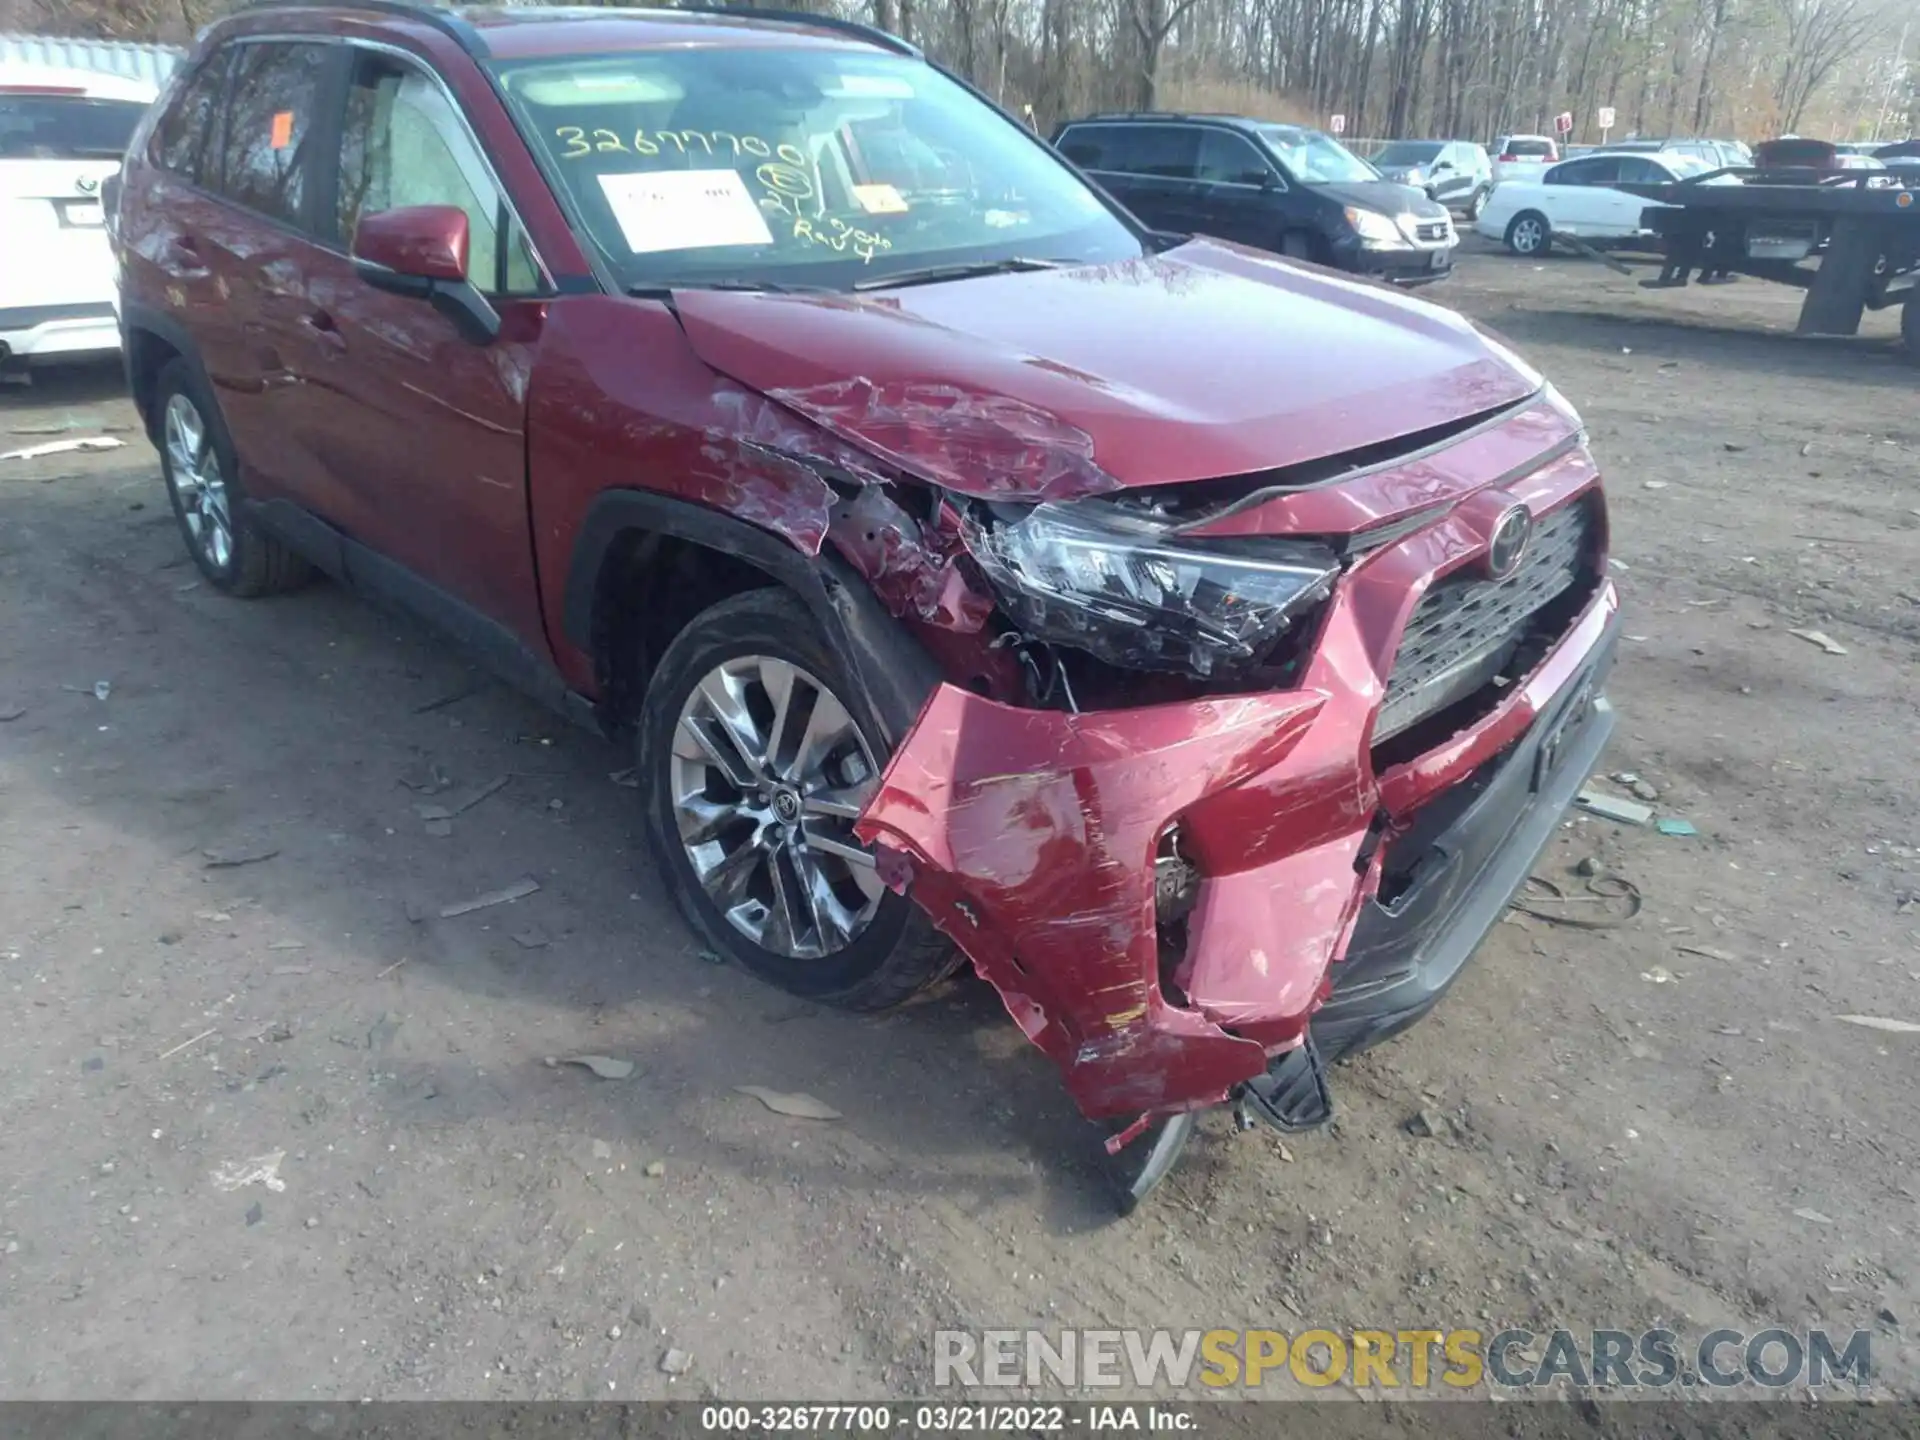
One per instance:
[(890, 669)]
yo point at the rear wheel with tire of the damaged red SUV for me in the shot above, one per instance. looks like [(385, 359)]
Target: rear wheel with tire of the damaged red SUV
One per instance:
[(197, 458)]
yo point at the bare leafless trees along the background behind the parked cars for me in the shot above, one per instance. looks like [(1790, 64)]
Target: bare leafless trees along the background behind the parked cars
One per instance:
[(1391, 68)]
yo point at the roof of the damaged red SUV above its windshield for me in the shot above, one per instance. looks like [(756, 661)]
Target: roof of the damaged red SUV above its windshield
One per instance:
[(533, 32)]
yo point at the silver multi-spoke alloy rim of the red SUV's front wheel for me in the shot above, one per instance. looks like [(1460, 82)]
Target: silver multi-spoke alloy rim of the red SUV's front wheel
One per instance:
[(769, 773)]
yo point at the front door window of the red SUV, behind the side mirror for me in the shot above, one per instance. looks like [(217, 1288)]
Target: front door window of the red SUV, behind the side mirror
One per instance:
[(406, 145)]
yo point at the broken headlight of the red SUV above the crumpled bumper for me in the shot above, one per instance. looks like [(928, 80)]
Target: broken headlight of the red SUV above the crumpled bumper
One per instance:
[(1138, 596)]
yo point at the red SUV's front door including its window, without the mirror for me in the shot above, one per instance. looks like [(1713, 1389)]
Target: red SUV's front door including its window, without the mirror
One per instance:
[(421, 431)]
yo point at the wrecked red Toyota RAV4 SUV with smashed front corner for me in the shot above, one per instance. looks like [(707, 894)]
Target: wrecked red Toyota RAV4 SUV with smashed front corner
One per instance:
[(1201, 642)]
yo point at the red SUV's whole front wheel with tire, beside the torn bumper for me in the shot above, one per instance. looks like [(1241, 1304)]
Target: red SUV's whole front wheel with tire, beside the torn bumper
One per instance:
[(757, 759)]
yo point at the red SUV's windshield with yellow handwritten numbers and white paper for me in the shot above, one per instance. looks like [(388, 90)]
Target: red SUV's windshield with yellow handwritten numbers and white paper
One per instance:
[(798, 168)]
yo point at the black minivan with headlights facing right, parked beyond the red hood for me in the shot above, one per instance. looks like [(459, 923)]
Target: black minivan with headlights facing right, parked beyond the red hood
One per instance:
[(1278, 187)]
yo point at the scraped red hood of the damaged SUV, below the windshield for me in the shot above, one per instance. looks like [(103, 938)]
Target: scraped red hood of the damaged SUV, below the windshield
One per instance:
[(1195, 364)]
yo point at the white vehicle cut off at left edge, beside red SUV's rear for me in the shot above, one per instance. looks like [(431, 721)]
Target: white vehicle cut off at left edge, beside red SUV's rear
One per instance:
[(62, 135)]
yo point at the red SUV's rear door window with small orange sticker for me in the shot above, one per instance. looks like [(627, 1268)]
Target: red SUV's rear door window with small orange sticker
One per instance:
[(272, 108)]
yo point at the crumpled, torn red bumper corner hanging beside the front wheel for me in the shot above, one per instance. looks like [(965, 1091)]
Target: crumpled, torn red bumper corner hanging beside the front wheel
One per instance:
[(1032, 838)]
